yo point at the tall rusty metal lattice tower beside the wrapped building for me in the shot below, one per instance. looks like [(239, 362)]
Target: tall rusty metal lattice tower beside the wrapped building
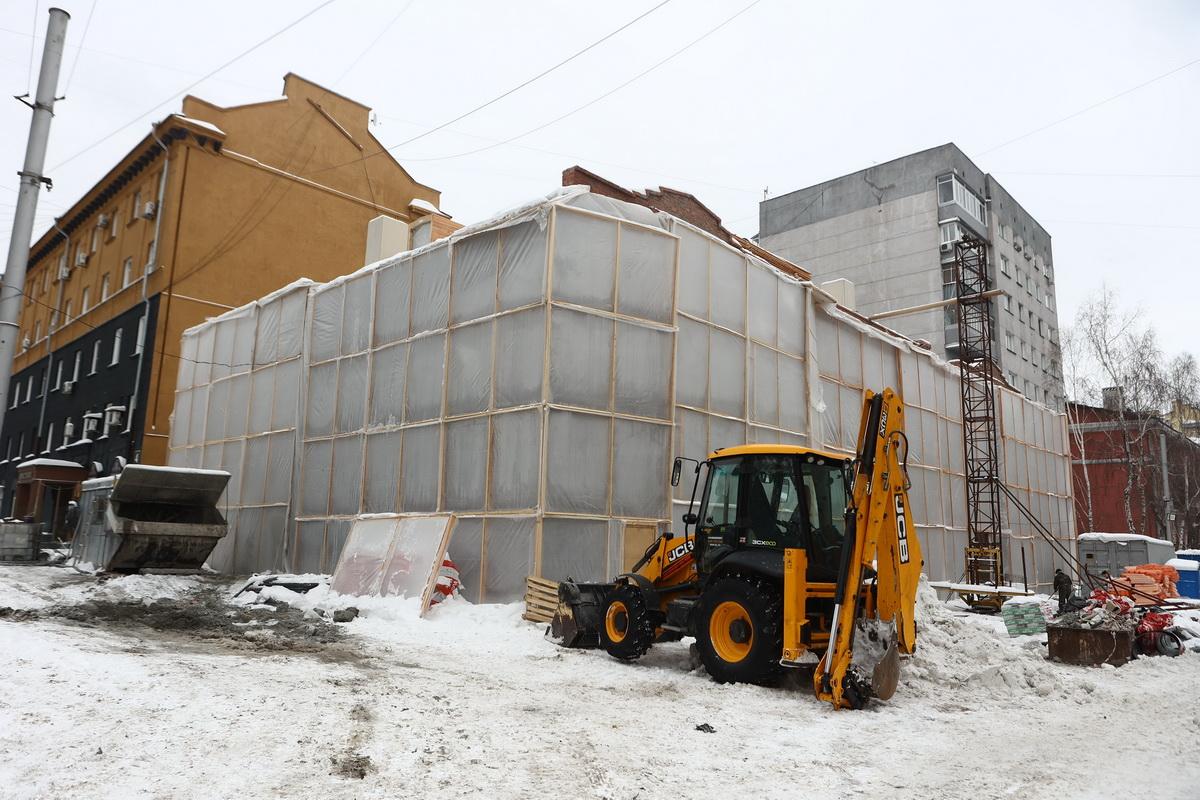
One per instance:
[(985, 557)]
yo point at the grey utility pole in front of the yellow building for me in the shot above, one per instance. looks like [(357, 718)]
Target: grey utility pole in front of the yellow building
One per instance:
[(32, 181)]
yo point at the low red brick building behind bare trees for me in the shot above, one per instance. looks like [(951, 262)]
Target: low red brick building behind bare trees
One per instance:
[(1135, 474)]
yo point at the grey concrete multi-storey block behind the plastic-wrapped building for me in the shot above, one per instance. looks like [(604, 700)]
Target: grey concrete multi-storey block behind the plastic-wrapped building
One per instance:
[(891, 231)]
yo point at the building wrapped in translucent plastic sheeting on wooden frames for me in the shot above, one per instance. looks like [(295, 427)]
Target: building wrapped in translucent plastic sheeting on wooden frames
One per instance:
[(536, 375)]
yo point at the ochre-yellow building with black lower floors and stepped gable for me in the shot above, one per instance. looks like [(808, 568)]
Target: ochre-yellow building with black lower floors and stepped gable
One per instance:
[(215, 208)]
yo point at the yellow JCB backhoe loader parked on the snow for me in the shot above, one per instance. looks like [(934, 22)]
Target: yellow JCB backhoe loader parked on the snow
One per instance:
[(797, 558)]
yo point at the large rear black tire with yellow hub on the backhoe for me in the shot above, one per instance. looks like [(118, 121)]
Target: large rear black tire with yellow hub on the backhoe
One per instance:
[(740, 630)]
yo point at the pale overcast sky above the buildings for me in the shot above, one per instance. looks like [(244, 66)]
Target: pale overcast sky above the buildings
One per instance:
[(784, 97)]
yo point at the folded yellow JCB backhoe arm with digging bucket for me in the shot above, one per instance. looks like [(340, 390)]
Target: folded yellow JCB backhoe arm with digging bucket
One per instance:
[(879, 545)]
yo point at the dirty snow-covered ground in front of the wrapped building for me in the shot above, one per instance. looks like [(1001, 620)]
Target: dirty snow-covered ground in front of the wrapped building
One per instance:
[(206, 697)]
